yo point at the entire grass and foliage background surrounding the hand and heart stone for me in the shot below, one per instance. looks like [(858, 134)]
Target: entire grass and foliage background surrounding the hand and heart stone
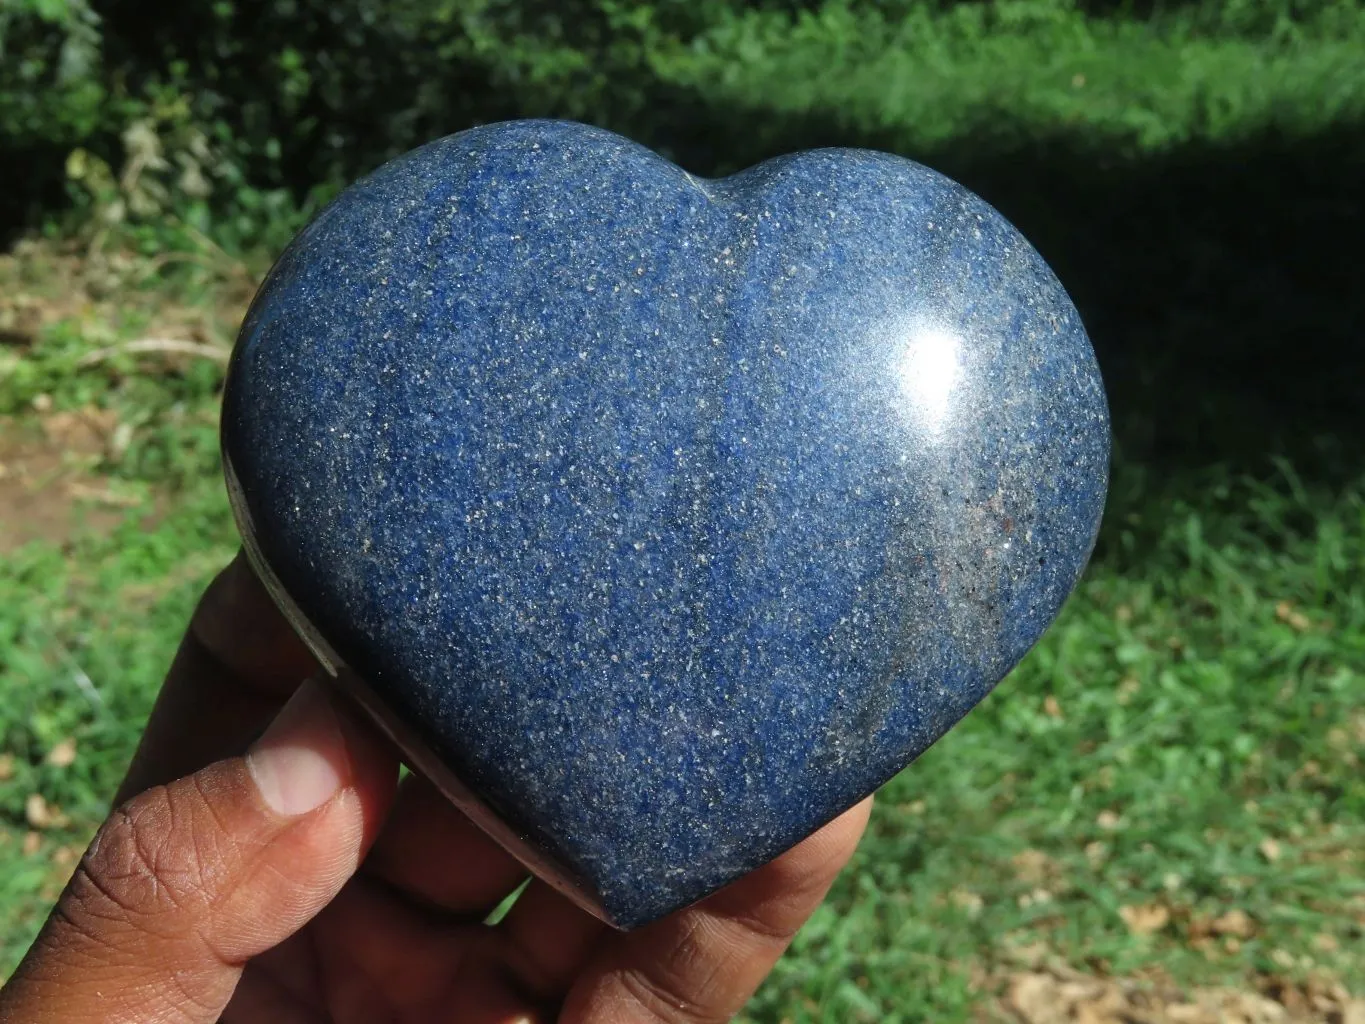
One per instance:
[(1166, 795)]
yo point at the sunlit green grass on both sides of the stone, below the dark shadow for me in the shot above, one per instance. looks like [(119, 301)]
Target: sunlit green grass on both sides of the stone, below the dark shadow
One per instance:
[(1199, 697)]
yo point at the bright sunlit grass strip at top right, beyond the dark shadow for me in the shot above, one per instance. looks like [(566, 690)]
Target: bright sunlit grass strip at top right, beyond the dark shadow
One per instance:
[(1023, 70)]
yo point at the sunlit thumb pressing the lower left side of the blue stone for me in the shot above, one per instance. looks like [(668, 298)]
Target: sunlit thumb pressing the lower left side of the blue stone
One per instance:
[(189, 881)]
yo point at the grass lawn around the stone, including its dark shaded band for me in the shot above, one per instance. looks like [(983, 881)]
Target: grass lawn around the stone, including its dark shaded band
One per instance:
[(1165, 805)]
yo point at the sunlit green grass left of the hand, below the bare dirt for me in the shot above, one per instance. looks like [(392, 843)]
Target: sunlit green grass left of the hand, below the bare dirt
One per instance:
[(85, 637)]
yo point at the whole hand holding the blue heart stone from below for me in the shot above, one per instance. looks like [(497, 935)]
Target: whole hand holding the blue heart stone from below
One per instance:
[(302, 884)]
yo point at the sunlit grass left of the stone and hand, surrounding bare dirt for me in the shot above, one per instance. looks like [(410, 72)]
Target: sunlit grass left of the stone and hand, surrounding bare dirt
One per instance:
[(88, 627)]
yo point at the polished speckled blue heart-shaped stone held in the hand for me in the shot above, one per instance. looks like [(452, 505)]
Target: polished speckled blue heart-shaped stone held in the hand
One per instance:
[(664, 518)]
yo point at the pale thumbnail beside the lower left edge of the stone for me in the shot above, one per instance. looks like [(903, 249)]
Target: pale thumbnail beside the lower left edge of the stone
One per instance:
[(301, 761)]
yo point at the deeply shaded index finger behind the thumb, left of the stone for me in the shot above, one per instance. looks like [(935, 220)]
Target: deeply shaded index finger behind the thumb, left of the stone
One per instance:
[(237, 667)]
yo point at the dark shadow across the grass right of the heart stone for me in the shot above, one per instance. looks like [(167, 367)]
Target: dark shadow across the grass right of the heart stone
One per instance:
[(1224, 287)]
